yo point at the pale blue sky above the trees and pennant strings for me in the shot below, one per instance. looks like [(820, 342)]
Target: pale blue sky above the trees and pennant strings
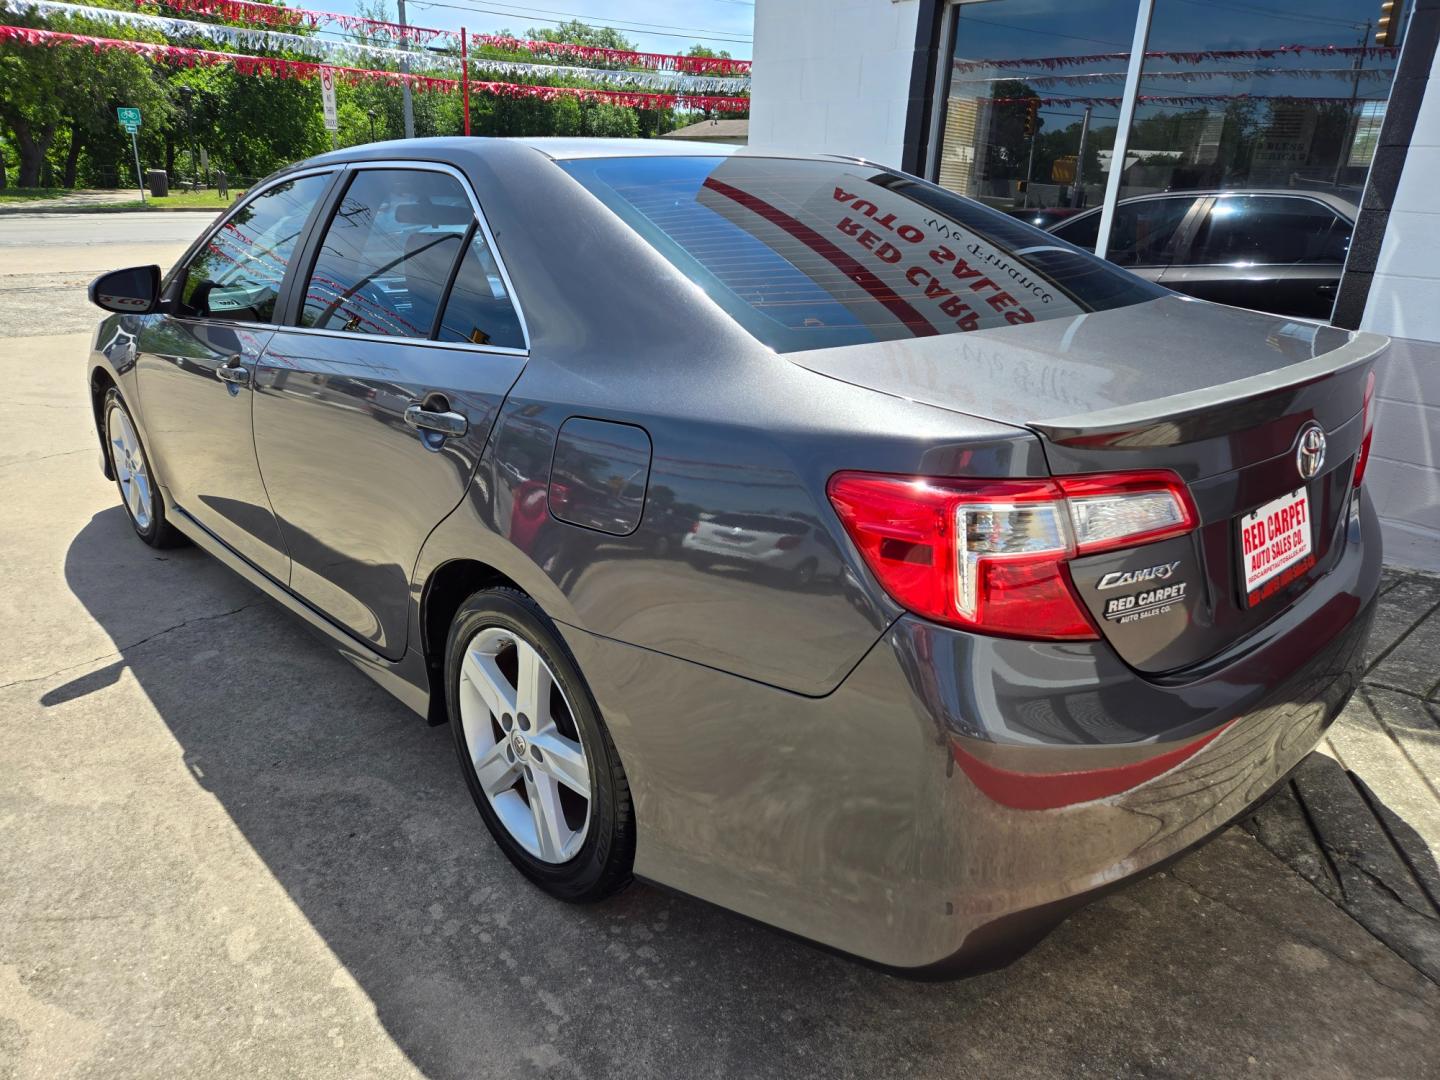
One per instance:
[(653, 25)]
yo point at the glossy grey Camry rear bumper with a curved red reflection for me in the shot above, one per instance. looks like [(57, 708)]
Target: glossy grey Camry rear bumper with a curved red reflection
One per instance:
[(958, 796)]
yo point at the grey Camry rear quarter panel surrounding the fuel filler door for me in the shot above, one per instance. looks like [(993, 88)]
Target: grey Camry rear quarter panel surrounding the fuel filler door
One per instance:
[(618, 335)]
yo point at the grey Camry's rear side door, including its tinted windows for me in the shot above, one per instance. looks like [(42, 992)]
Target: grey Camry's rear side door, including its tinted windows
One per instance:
[(374, 405)]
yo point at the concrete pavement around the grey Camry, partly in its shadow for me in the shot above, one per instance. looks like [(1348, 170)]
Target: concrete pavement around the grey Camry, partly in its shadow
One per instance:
[(225, 853)]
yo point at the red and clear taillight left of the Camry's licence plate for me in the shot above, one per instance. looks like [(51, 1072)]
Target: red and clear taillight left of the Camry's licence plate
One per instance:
[(990, 555)]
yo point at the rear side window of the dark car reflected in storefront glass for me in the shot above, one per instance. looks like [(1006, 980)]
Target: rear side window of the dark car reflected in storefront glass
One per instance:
[(1271, 230)]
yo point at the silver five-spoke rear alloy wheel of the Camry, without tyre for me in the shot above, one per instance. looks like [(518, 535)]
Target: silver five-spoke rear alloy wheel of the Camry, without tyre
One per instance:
[(525, 745)]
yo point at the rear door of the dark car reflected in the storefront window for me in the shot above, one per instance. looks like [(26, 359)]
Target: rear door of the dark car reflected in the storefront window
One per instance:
[(1272, 253)]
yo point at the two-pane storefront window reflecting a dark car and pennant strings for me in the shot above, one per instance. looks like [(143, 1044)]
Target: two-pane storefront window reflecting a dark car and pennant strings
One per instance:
[(1255, 126)]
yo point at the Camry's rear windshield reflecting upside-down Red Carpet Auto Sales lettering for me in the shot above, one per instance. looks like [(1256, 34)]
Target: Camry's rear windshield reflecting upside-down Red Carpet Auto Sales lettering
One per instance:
[(817, 254)]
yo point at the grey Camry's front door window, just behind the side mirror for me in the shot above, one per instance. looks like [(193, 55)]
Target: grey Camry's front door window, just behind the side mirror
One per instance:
[(240, 271)]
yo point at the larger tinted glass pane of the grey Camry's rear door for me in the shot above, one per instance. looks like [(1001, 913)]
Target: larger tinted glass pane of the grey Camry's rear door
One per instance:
[(388, 254)]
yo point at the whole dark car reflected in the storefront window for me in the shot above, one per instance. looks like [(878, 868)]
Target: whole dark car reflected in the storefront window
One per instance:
[(1277, 251)]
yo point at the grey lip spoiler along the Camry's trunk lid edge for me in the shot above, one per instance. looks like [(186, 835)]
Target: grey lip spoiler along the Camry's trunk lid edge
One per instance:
[(1215, 410)]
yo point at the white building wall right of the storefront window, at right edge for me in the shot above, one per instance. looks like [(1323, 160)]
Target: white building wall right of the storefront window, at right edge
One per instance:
[(1405, 303)]
